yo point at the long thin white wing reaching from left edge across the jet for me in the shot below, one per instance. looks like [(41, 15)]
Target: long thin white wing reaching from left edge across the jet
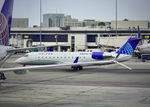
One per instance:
[(59, 65)]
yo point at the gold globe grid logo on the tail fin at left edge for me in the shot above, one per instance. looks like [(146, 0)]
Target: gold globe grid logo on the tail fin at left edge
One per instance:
[(4, 31)]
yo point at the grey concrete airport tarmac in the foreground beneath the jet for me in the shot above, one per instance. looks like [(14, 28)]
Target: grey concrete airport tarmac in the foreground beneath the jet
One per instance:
[(95, 86)]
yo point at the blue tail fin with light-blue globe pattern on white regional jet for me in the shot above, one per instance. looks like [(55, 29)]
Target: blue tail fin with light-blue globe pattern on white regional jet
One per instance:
[(129, 47)]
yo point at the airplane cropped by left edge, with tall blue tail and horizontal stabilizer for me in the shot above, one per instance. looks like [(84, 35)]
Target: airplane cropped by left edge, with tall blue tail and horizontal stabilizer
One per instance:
[(5, 25)]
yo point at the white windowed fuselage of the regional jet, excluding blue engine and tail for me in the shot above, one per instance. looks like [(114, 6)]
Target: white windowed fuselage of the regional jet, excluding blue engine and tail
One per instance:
[(43, 58)]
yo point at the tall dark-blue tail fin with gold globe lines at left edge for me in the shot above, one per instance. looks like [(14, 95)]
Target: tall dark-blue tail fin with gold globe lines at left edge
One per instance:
[(5, 22)]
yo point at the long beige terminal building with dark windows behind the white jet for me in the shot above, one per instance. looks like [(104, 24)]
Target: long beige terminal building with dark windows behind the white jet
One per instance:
[(78, 38)]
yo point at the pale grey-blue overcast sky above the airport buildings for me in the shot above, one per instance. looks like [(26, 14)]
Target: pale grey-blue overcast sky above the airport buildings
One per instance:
[(103, 10)]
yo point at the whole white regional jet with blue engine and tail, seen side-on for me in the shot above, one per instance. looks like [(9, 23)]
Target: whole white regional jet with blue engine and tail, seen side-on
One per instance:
[(78, 59)]
